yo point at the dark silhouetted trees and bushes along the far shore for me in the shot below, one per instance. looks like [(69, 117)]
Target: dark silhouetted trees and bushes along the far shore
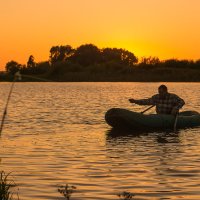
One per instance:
[(89, 63)]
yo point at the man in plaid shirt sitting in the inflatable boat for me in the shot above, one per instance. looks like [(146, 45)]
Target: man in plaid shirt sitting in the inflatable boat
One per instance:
[(165, 102)]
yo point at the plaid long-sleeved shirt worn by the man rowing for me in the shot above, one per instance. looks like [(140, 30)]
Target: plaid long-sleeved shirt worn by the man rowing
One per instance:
[(163, 106)]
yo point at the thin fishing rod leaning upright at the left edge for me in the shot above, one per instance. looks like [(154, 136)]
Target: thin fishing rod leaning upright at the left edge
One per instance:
[(17, 76)]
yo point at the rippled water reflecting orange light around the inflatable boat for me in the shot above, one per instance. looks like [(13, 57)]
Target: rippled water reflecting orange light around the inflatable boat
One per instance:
[(55, 134)]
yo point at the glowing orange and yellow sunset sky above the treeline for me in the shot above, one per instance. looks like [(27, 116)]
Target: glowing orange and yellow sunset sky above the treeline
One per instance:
[(162, 28)]
